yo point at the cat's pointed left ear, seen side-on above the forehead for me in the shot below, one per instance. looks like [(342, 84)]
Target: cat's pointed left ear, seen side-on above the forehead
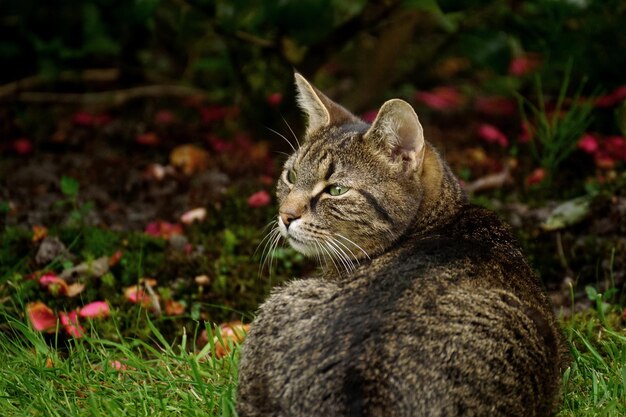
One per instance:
[(320, 110)]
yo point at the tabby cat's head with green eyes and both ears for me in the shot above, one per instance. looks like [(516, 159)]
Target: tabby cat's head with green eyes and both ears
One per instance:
[(351, 189)]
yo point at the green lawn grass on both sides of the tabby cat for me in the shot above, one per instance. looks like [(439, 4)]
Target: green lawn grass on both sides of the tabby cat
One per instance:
[(77, 379)]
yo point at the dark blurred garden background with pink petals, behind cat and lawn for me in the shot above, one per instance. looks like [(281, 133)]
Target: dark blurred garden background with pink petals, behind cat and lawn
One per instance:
[(118, 118)]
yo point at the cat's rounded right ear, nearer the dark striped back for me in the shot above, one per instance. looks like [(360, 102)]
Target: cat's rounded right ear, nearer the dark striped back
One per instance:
[(398, 130)]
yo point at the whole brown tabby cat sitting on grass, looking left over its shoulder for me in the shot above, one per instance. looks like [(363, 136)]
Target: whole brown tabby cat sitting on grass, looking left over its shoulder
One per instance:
[(425, 305)]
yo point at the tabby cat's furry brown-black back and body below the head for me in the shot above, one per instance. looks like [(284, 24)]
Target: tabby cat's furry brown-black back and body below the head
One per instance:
[(412, 333)]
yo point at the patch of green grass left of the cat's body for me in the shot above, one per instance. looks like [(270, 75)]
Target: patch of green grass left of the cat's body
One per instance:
[(79, 379)]
